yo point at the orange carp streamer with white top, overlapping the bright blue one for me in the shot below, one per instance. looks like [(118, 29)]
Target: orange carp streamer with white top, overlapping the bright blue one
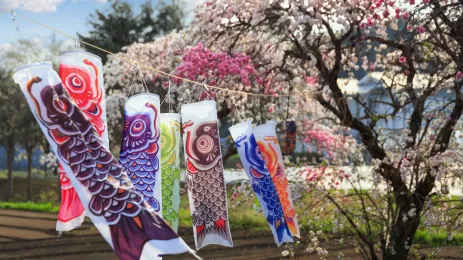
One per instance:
[(268, 144)]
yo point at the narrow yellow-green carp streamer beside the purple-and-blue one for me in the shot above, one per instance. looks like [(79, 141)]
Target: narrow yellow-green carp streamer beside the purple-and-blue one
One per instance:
[(170, 167)]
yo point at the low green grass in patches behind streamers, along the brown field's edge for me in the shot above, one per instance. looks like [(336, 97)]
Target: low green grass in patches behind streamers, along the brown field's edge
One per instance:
[(241, 213)]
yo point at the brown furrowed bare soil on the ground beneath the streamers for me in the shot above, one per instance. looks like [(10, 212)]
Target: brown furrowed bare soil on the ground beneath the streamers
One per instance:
[(29, 235)]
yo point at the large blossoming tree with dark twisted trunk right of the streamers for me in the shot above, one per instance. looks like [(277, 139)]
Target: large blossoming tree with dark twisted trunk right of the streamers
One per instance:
[(418, 48)]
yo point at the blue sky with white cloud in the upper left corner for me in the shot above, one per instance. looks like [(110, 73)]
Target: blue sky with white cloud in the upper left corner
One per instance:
[(69, 16)]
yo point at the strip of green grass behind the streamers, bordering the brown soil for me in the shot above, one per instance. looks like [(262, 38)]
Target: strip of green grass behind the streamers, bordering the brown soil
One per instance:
[(242, 215)]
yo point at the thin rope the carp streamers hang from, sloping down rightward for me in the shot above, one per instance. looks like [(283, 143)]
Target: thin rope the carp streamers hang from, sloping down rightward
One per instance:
[(139, 64)]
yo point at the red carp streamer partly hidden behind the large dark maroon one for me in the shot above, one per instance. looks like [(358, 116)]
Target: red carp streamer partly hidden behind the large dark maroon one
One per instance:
[(82, 76)]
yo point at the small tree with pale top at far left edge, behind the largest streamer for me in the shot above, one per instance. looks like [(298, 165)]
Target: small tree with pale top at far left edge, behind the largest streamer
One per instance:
[(17, 125)]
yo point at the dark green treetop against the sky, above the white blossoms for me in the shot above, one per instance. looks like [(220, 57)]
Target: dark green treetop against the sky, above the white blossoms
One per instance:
[(120, 27)]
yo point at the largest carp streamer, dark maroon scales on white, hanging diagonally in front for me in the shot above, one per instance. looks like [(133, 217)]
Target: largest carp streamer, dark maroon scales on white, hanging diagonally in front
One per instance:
[(107, 194)]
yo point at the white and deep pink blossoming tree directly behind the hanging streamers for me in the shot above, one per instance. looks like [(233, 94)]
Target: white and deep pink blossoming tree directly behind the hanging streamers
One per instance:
[(185, 57)]
